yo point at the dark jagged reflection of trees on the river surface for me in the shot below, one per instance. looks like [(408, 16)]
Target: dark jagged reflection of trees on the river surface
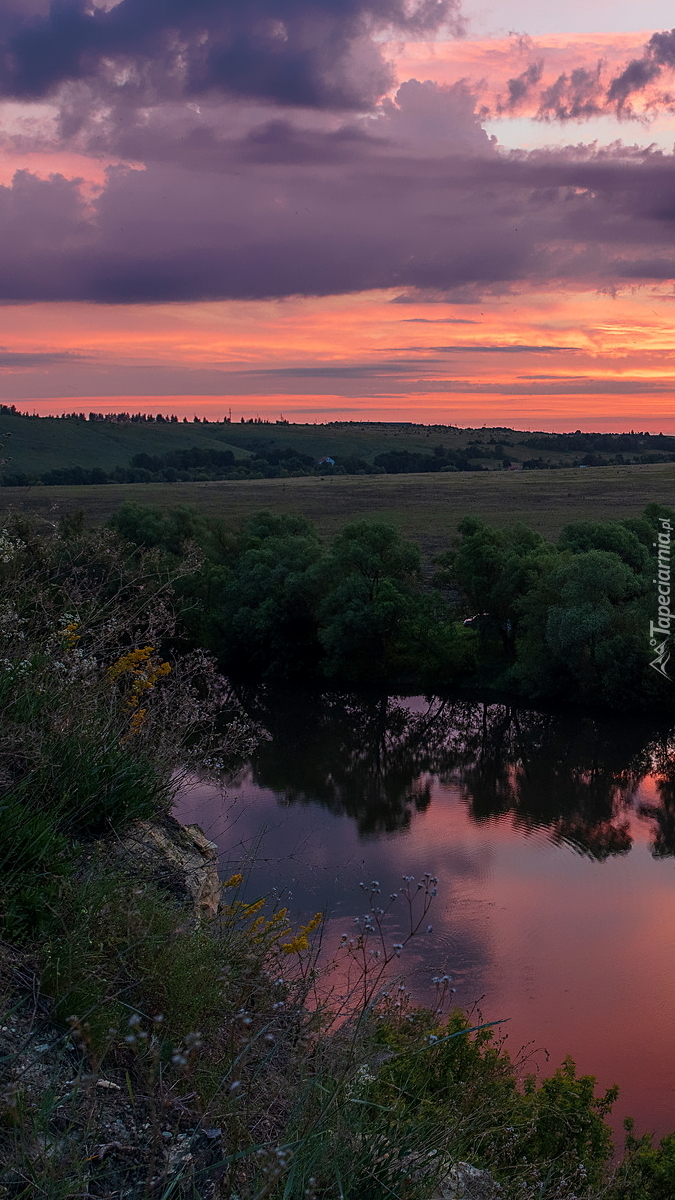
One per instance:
[(375, 760)]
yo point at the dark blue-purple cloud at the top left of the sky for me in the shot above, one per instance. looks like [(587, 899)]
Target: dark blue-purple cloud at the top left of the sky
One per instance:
[(292, 52)]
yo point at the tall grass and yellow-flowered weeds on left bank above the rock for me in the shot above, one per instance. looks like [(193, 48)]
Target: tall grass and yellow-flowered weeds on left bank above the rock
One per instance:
[(97, 721)]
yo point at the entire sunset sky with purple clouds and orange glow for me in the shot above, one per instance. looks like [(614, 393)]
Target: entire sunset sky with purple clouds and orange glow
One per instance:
[(420, 211)]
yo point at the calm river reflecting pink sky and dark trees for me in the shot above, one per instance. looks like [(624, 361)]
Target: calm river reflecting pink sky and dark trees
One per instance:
[(553, 839)]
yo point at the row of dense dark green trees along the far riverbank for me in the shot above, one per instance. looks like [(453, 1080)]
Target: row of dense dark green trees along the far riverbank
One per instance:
[(506, 609)]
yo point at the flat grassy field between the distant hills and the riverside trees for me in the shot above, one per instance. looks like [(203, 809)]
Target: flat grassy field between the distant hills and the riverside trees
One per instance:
[(426, 508)]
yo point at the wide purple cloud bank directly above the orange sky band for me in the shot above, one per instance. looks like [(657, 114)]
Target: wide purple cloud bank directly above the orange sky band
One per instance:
[(419, 199)]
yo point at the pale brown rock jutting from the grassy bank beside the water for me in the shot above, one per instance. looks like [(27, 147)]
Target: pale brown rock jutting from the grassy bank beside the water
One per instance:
[(180, 859)]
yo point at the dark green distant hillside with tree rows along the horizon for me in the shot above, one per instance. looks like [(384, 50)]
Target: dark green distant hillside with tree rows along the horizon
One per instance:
[(100, 451)]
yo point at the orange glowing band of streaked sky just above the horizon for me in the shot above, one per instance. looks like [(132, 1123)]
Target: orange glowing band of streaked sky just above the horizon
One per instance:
[(546, 361)]
